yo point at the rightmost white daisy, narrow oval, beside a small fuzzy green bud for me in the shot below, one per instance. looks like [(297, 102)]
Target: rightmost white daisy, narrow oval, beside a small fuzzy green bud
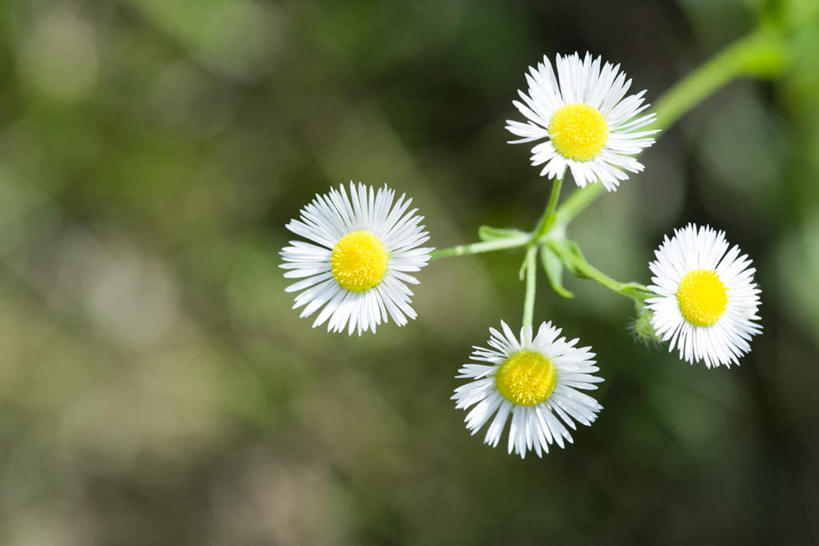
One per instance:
[(707, 300)]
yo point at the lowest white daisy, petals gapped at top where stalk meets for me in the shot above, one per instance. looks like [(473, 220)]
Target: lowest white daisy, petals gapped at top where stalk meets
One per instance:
[(534, 380)]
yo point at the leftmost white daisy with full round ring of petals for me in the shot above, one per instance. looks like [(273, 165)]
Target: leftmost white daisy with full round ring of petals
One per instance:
[(356, 267)]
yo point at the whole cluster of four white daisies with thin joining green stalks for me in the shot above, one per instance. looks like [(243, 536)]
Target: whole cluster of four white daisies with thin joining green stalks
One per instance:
[(361, 248)]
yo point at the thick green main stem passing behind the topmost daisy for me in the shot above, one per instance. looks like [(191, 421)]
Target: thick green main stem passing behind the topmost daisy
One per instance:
[(748, 55)]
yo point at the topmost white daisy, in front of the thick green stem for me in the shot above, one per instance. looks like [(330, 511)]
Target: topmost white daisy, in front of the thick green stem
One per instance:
[(590, 127)]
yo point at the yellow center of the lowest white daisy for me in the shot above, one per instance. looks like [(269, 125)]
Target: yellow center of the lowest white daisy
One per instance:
[(526, 378)]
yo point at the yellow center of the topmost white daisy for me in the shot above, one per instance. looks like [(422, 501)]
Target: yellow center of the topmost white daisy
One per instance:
[(578, 131)]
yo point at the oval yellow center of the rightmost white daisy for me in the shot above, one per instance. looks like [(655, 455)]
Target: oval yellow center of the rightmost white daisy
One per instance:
[(702, 297)]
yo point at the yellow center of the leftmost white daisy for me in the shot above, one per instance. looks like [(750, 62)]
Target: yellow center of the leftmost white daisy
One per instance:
[(359, 261)]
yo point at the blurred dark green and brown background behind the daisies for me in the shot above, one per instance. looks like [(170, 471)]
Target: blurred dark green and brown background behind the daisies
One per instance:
[(156, 387)]
